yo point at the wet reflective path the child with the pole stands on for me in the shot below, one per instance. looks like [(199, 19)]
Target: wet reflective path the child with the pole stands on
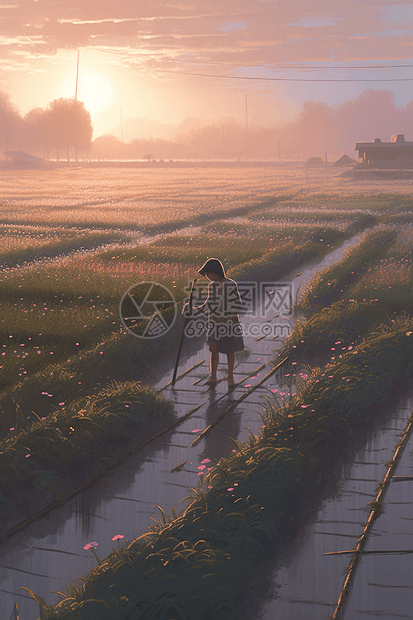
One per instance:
[(49, 554)]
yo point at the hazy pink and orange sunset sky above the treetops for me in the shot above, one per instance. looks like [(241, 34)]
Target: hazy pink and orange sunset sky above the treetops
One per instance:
[(169, 60)]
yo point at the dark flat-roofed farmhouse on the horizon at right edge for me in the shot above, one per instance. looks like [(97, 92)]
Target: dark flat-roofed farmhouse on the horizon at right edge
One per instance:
[(394, 154)]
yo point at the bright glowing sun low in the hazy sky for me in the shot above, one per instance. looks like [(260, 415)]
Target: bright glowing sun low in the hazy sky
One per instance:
[(94, 89)]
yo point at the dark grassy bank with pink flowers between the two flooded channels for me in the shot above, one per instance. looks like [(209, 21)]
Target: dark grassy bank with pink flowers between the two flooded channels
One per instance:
[(194, 565)]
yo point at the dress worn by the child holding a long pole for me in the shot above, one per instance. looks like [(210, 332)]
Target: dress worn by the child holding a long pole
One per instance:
[(223, 327)]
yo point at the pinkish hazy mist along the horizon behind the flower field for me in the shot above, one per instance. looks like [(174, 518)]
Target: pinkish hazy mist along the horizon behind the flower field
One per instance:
[(318, 128)]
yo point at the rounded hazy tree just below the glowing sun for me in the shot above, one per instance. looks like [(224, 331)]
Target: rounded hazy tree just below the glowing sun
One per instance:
[(67, 123)]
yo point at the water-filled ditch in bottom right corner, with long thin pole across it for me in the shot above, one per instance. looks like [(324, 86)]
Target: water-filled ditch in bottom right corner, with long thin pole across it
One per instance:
[(348, 552)]
